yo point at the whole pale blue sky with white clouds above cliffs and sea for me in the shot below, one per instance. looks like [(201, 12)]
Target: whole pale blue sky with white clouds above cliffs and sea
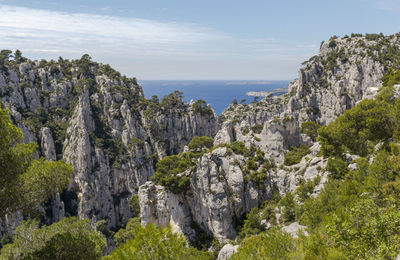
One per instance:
[(190, 39)]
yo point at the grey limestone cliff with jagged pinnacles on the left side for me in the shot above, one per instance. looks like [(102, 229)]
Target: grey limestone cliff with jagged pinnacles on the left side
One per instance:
[(95, 119)]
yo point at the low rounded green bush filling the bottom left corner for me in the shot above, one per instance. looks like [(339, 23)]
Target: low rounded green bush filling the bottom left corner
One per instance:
[(68, 239)]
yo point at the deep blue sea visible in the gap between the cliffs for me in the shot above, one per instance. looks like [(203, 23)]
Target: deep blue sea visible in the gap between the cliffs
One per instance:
[(219, 94)]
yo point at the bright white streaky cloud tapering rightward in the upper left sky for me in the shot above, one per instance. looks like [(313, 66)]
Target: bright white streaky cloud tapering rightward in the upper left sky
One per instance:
[(86, 31)]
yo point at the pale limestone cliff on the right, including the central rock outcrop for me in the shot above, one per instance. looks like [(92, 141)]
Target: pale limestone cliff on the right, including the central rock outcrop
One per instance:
[(344, 72)]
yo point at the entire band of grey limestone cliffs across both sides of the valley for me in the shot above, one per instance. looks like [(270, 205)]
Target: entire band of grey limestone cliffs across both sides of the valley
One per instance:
[(99, 121)]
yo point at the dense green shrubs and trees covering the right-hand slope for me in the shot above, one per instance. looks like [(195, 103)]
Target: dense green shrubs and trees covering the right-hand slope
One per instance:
[(356, 215)]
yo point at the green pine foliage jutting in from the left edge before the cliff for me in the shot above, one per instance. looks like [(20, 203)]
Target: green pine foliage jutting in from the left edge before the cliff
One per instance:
[(26, 182)]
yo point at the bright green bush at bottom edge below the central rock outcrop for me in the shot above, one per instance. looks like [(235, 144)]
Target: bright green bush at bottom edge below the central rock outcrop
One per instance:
[(151, 242)]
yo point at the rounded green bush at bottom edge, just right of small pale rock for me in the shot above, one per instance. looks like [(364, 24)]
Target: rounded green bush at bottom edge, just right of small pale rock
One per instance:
[(272, 244)]
